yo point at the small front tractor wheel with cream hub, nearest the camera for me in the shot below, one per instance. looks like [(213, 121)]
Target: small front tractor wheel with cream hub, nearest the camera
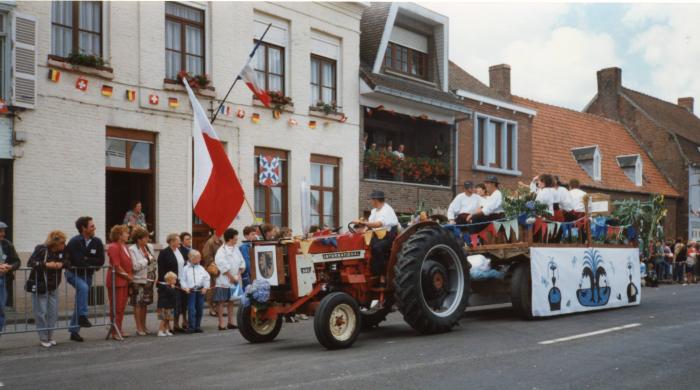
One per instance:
[(337, 321)]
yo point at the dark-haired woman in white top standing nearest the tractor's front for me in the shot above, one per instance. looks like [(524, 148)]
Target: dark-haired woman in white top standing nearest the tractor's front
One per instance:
[(231, 265)]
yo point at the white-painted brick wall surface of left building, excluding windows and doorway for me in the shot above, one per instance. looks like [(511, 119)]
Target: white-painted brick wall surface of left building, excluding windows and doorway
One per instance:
[(62, 172)]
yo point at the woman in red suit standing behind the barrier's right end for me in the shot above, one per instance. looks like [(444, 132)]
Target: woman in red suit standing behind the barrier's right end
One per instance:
[(118, 278)]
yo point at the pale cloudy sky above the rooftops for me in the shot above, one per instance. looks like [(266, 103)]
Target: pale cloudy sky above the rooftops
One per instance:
[(554, 50)]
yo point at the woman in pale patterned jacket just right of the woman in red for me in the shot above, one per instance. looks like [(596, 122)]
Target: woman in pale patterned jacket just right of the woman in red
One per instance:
[(141, 288)]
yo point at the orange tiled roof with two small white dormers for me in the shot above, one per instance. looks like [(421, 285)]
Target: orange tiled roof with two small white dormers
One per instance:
[(556, 131)]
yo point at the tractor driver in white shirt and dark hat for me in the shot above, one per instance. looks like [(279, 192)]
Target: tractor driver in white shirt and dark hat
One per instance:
[(381, 217)]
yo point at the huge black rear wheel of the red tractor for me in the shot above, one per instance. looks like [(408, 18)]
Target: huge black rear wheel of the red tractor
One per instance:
[(431, 281)]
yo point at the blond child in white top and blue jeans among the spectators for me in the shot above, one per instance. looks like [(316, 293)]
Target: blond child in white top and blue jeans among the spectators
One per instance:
[(195, 280)]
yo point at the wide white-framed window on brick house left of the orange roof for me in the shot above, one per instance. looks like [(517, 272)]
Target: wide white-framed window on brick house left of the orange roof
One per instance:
[(504, 147)]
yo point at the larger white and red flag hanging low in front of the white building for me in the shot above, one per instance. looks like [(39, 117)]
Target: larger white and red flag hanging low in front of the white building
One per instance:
[(217, 195)]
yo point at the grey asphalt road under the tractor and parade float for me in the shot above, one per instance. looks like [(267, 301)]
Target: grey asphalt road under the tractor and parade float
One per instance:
[(491, 349)]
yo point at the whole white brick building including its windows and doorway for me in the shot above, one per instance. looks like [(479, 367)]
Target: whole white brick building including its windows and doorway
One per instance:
[(60, 168)]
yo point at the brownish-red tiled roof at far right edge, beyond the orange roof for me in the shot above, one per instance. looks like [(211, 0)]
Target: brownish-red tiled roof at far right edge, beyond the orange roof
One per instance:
[(672, 117)]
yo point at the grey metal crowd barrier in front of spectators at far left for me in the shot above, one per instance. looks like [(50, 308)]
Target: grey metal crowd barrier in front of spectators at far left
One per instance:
[(19, 306)]
